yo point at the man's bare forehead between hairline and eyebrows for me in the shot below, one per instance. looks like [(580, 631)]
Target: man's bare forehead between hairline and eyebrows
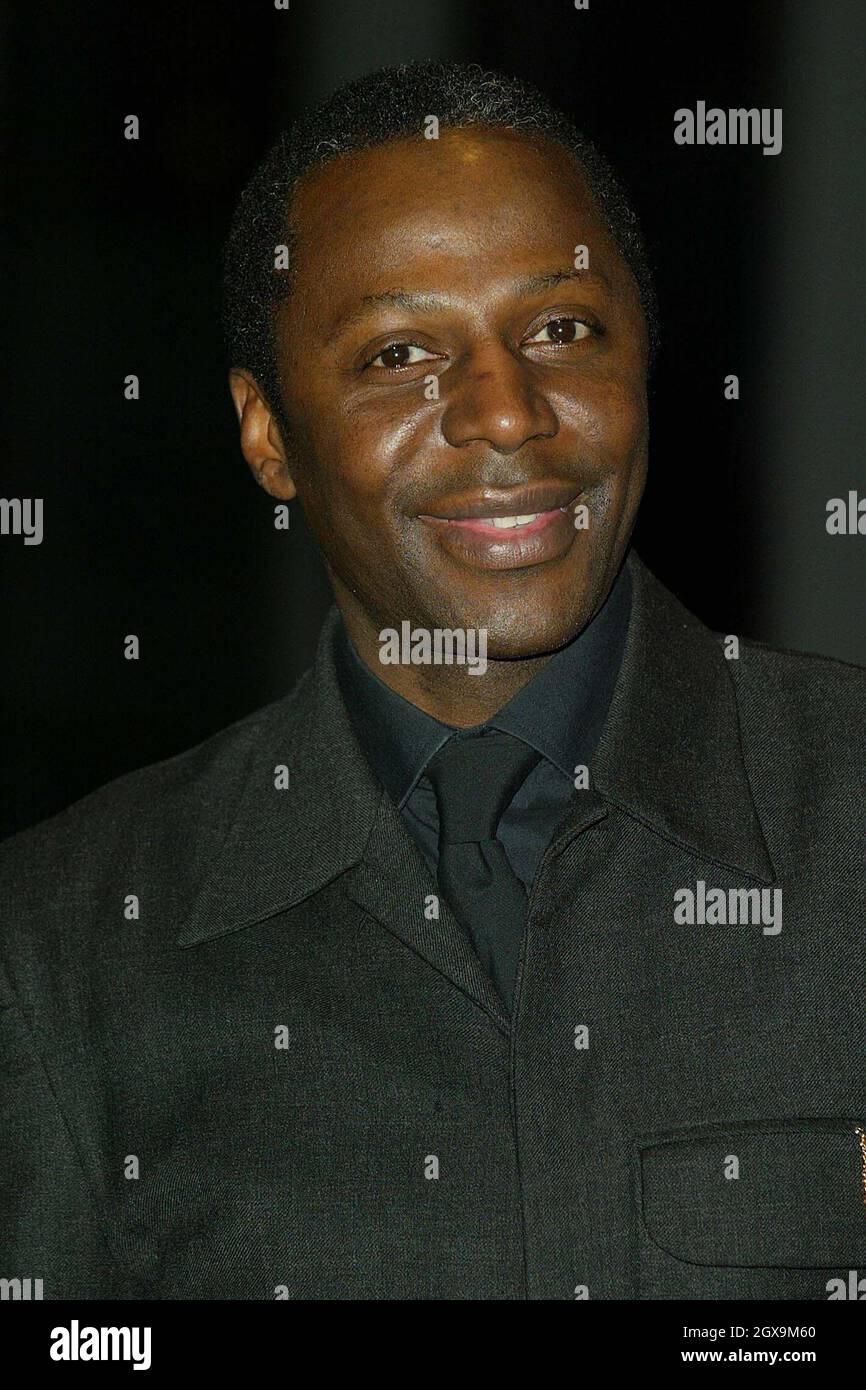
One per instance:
[(366, 226)]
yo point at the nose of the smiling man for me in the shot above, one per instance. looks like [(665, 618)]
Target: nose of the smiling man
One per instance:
[(497, 400)]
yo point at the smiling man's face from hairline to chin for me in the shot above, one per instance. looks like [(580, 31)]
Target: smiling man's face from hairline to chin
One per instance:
[(446, 368)]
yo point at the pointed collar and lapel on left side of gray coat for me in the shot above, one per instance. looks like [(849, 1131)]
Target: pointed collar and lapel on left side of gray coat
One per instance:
[(333, 819)]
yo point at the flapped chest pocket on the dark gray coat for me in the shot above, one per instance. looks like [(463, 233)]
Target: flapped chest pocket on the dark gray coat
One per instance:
[(761, 1210)]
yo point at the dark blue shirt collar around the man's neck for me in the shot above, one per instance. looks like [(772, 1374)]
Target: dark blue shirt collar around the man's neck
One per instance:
[(559, 714)]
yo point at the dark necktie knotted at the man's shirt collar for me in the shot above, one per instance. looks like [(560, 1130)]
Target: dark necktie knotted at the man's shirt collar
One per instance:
[(475, 780)]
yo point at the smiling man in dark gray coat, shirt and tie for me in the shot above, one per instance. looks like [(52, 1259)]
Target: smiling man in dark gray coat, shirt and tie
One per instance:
[(519, 951)]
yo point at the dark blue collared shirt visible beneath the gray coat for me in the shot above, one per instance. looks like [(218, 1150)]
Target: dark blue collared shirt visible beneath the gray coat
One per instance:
[(561, 714)]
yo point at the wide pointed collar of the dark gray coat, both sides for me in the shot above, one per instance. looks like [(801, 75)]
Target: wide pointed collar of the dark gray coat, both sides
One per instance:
[(671, 755)]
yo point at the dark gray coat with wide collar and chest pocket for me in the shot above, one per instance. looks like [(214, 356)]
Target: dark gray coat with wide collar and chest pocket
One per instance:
[(313, 1079)]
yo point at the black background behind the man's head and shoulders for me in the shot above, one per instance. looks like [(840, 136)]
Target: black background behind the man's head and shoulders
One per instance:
[(154, 525)]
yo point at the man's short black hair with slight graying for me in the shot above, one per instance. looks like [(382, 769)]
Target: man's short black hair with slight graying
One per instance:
[(383, 106)]
